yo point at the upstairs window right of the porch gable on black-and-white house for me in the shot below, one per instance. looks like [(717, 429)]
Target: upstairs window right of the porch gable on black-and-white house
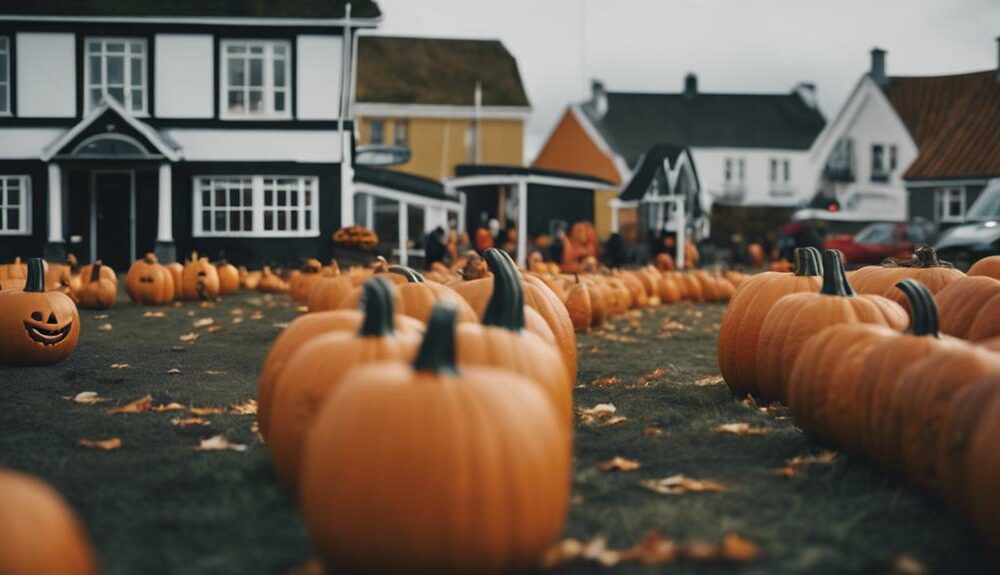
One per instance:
[(256, 78)]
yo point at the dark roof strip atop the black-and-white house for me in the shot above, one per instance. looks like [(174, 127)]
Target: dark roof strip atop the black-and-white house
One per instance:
[(234, 8)]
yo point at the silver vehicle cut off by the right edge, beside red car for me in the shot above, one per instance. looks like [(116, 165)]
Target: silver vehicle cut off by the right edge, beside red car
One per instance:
[(979, 236)]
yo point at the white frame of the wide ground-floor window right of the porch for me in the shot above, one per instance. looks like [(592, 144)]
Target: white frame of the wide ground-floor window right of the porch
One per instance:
[(257, 184)]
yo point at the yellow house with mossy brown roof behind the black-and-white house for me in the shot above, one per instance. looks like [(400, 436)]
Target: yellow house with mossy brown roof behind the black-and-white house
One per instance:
[(449, 102)]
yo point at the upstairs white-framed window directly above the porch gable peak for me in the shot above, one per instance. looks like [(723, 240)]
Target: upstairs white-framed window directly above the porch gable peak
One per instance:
[(116, 68)]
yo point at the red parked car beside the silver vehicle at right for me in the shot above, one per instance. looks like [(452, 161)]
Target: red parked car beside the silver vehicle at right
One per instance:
[(881, 240)]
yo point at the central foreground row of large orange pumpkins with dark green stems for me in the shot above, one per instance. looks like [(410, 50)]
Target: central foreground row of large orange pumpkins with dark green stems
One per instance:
[(466, 391)]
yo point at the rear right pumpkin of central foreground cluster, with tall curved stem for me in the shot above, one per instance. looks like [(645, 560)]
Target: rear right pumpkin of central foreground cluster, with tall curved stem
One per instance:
[(502, 341)]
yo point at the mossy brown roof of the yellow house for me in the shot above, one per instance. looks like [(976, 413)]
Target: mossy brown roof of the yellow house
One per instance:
[(437, 71)]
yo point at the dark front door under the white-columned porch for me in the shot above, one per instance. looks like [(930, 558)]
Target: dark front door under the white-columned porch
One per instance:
[(112, 216)]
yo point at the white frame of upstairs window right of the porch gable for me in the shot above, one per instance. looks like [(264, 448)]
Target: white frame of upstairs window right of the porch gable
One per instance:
[(268, 87)]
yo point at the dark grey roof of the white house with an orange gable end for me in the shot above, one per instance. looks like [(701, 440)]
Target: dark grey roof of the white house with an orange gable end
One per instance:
[(636, 121)]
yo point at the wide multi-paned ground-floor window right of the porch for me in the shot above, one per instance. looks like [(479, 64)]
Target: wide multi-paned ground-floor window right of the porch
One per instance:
[(261, 206)]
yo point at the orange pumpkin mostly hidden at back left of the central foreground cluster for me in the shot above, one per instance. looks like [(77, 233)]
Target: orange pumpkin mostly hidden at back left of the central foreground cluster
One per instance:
[(297, 334)]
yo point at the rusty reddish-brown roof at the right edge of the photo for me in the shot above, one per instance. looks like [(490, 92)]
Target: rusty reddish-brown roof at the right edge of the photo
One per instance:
[(954, 120)]
